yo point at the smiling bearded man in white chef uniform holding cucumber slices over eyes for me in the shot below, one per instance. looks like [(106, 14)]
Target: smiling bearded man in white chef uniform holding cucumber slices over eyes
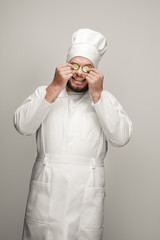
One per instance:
[(74, 120)]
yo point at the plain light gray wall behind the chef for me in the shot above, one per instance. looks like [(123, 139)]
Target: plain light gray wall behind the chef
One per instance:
[(35, 36)]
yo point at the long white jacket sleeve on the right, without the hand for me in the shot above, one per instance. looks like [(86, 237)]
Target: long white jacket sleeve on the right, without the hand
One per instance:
[(114, 120)]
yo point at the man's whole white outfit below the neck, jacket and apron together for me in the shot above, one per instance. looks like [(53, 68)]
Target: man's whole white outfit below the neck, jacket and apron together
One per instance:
[(67, 186)]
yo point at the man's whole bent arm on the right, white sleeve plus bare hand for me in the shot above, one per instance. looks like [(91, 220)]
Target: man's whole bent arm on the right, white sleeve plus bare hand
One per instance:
[(115, 122)]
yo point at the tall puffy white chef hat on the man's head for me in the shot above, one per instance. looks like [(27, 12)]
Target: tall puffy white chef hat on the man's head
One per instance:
[(87, 43)]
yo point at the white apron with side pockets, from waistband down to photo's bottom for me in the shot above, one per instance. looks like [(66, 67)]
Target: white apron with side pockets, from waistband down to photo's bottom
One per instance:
[(66, 199)]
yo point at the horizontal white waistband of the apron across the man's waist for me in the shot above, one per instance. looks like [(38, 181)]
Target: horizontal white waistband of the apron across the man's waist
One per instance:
[(69, 159)]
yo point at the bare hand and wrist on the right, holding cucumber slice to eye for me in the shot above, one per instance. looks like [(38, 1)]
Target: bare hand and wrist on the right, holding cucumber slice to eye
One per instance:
[(95, 83)]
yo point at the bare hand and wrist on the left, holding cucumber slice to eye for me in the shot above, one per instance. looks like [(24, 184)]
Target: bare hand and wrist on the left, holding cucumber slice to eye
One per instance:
[(62, 74)]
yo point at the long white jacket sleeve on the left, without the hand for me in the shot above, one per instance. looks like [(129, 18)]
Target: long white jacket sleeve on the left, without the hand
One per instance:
[(32, 112)]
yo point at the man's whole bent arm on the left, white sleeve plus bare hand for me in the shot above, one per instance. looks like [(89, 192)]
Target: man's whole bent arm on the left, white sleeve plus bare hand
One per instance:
[(29, 116)]
